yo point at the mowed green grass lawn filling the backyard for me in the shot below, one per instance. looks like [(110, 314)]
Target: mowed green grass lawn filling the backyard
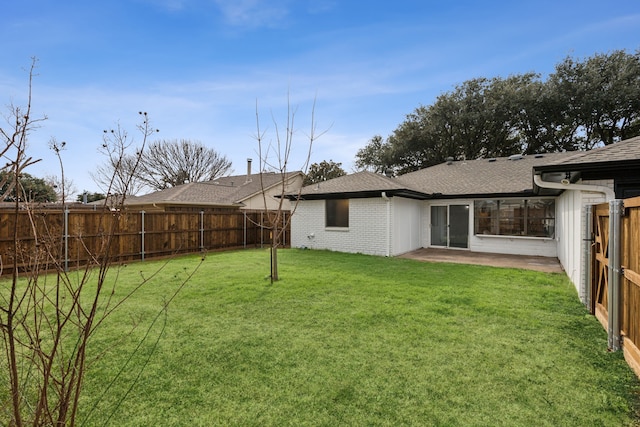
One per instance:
[(356, 340)]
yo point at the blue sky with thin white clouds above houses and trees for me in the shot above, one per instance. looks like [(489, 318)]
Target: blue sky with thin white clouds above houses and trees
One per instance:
[(198, 67)]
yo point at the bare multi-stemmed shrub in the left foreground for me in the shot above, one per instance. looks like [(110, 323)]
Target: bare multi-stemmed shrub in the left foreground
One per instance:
[(48, 321)]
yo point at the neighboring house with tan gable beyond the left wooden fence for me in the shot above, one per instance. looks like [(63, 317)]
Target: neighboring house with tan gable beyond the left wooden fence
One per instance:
[(230, 192)]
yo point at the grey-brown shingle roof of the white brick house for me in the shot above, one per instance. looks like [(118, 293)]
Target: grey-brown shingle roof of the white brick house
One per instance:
[(498, 176)]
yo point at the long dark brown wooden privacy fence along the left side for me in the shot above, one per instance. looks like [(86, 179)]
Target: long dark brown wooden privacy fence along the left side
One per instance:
[(75, 238)]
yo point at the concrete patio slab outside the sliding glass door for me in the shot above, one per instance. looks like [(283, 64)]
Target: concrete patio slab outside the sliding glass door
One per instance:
[(538, 263)]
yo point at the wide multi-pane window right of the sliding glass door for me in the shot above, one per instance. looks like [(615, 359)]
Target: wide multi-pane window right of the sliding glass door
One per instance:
[(535, 217)]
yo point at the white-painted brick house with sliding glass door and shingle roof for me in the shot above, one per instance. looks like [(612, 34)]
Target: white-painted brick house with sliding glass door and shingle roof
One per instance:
[(529, 205)]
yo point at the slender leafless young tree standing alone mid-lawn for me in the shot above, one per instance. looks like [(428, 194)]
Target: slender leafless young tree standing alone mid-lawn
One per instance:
[(276, 156)]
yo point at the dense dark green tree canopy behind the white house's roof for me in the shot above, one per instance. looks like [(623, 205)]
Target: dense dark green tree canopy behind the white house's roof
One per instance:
[(581, 105)]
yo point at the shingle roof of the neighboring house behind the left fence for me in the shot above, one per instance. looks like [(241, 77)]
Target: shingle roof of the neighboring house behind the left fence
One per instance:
[(226, 191)]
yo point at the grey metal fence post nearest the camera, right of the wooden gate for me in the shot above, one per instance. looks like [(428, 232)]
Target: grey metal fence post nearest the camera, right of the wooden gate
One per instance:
[(614, 268)]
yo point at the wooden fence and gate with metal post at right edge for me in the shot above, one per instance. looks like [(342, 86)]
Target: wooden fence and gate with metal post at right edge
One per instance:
[(615, 278)]
